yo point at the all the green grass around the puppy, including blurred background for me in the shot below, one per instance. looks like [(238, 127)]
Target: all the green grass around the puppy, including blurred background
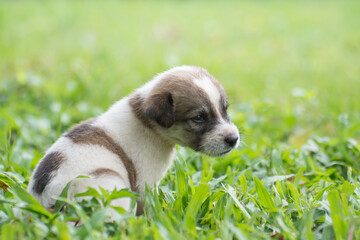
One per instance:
[(291, 70)]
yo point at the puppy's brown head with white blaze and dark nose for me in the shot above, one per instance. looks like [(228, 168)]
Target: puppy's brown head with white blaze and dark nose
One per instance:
[(188, 106)]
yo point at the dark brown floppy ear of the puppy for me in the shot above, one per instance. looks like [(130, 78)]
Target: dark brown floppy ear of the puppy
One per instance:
[(160, 108)]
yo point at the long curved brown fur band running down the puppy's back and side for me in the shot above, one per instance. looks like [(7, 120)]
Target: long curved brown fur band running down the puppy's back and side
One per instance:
[(85, 133)]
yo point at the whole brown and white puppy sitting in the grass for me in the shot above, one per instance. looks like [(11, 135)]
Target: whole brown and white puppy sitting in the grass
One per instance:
[(133, 142)]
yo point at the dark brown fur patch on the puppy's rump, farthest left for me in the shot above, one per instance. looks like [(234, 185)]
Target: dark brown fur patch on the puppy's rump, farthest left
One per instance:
[(43, 174)]
